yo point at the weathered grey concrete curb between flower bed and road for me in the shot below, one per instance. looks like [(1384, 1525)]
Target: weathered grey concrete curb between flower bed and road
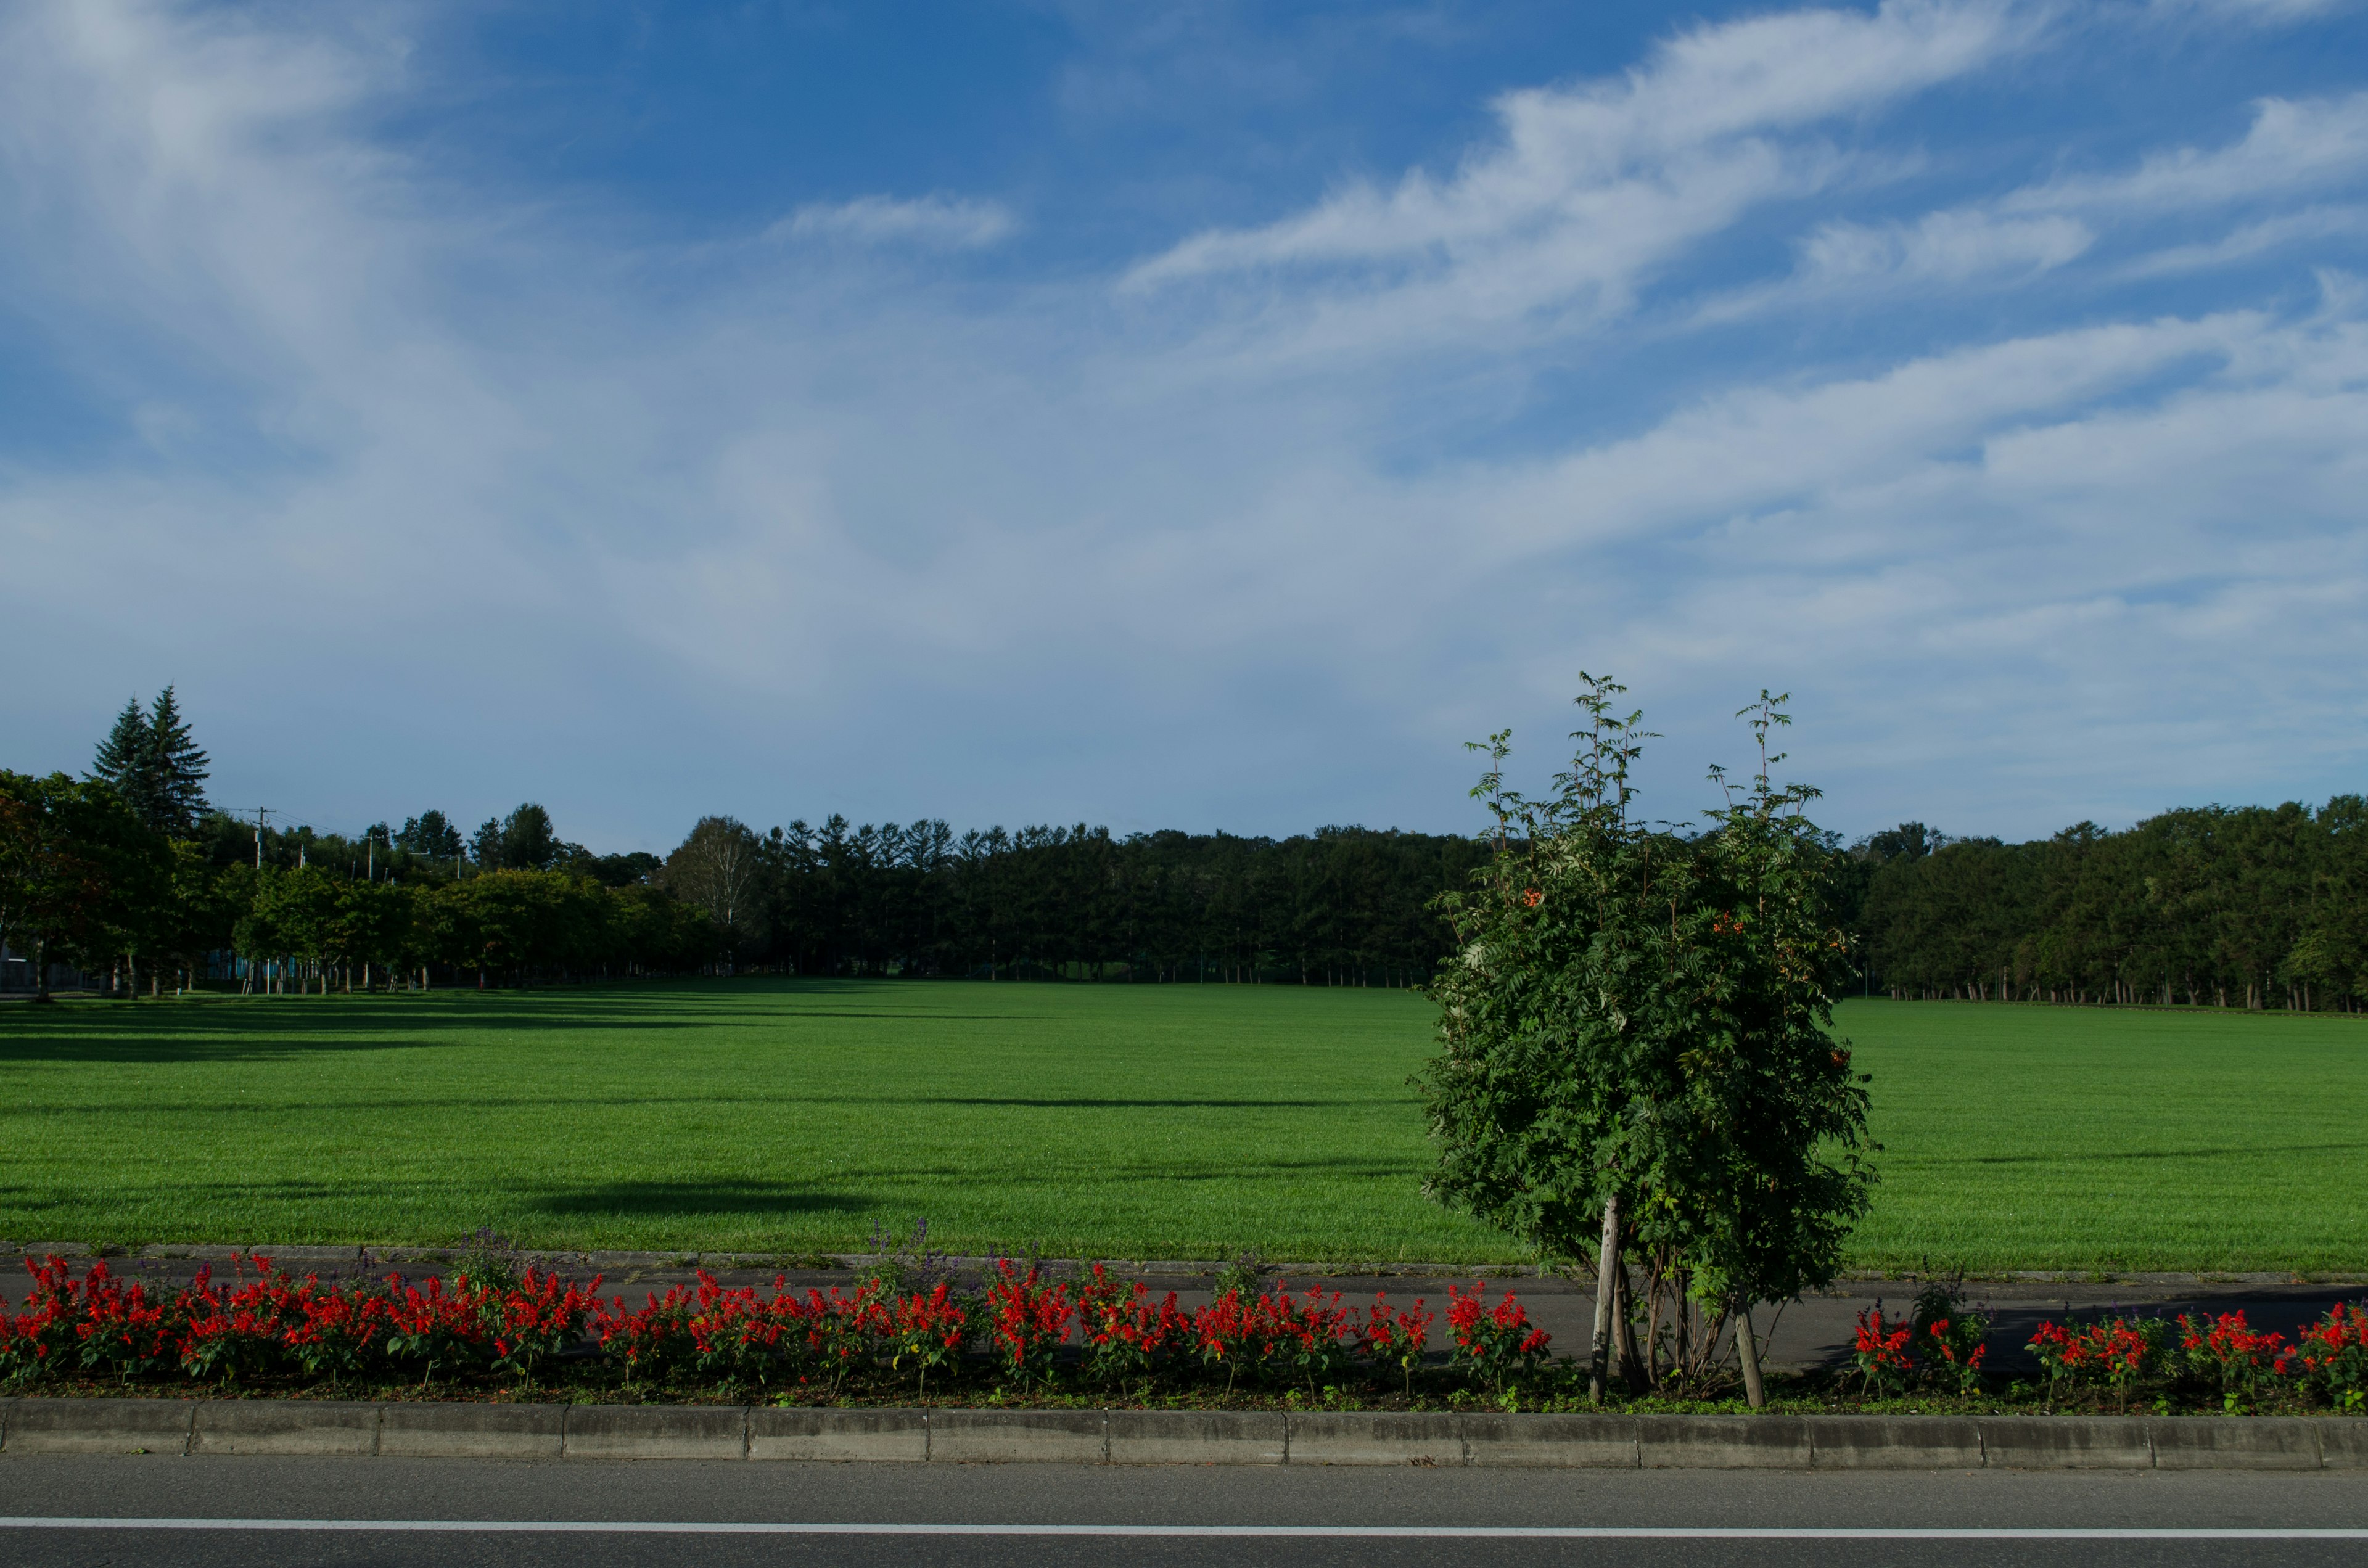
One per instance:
[(1178, 1437)]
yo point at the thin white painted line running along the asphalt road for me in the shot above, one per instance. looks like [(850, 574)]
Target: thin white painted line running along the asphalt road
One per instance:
[(636, 1527)]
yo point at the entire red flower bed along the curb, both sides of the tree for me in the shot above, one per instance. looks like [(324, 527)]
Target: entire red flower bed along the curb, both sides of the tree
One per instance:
[(1029, 1337)]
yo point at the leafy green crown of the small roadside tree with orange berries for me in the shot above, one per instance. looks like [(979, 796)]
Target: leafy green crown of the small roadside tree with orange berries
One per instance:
[(1640, 1015)]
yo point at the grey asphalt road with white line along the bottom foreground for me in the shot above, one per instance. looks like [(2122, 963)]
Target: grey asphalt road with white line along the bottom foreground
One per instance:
[(2125, 1515)]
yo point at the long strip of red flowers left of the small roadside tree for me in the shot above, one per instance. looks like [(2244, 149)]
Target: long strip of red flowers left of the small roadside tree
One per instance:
[(1022, 1330)]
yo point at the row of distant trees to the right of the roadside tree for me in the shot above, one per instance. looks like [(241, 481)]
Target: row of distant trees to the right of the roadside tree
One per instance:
[(2211, 906)]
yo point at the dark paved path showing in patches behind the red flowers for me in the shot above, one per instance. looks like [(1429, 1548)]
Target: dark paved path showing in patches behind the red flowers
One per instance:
[(1813, 1332)]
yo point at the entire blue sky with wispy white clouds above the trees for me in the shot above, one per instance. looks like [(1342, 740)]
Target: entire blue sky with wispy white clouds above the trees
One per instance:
[(1185, 416)]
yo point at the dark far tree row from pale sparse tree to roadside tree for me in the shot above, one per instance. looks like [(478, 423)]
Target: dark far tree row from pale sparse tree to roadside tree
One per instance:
[(1344, 906)]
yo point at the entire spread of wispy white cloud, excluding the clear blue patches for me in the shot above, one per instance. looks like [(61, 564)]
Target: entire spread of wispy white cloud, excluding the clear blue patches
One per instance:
[(794, 536)]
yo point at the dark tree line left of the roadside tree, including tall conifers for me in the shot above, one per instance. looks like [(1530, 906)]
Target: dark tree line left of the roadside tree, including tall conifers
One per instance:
[(134, 878)]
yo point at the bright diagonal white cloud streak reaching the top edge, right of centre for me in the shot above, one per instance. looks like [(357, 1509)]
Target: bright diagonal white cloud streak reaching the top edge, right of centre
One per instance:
[(1595, 186)]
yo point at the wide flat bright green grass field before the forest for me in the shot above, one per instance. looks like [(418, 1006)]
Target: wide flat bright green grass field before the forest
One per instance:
[(1162, 1122)]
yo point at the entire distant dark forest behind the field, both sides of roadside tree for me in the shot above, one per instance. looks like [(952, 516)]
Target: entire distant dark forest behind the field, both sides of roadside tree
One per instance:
[(134, 878)]
